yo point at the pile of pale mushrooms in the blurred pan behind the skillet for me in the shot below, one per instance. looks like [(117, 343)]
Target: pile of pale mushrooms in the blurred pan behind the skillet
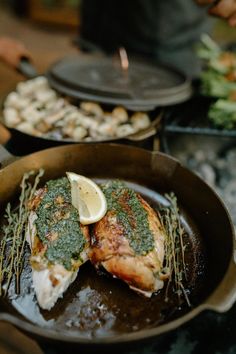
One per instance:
[(36, 109)]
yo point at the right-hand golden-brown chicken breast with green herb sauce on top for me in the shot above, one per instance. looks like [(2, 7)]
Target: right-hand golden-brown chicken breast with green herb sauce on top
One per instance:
[(129, 240)]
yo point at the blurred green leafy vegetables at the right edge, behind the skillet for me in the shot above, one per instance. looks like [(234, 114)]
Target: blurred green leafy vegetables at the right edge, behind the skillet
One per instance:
[(218, 80)]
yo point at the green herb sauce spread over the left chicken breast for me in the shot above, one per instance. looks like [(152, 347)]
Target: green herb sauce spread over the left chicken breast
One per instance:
[(58, 217)]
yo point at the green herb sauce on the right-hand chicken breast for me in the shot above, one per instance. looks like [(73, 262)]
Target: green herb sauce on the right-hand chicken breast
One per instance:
[(131, 214)]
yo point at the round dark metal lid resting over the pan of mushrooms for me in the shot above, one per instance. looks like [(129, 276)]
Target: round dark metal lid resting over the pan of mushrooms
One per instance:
[(102, 79)]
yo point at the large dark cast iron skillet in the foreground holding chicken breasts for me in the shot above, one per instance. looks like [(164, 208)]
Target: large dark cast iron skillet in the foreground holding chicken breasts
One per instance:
[(98, 310)]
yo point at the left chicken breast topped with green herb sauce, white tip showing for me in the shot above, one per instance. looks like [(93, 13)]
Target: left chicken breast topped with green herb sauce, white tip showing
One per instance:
[(59, 243)]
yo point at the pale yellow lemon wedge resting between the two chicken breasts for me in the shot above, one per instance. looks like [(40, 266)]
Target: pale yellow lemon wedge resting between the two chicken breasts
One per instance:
[(87, 198)]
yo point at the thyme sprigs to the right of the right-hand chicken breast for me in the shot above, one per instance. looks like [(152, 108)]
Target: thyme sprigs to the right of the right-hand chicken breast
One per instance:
[(175, 265)]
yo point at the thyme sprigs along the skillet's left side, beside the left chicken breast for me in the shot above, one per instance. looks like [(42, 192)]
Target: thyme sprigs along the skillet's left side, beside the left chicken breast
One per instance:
[(13, 234)]
